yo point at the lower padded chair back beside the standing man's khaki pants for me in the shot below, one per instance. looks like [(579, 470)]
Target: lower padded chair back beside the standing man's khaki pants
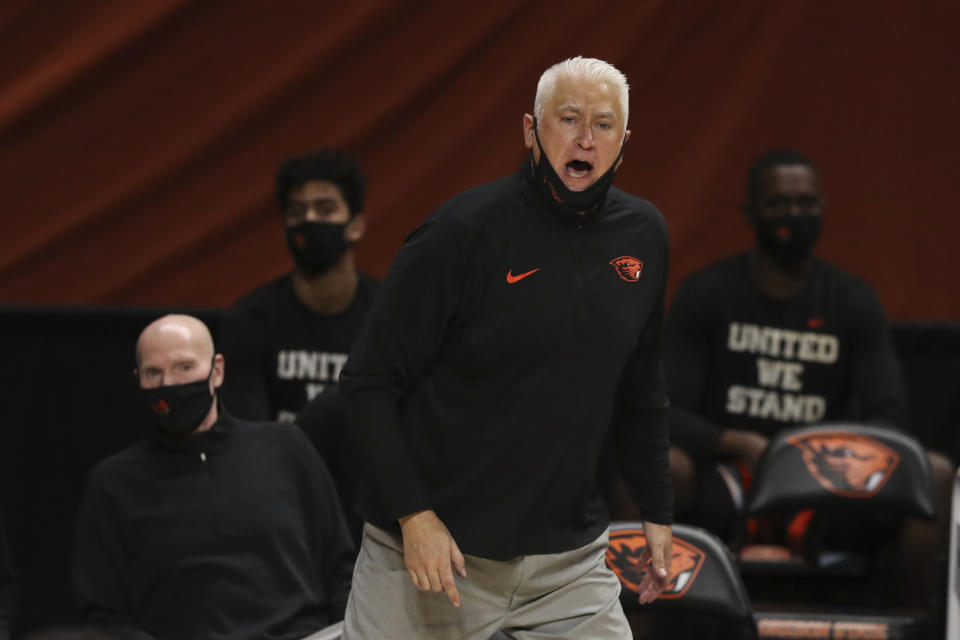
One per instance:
[(705, 580)]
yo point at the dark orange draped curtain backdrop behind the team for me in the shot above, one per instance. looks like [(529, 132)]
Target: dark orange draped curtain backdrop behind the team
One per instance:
[(138, 140)]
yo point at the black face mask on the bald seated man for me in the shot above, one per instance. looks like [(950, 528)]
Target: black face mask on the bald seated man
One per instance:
[(177, 410)]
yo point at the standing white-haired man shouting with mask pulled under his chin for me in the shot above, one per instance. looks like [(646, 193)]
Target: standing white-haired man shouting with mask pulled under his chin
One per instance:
[(519, 324)]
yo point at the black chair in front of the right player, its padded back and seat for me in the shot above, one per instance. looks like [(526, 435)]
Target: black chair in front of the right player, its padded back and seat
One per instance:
[(833, 469)]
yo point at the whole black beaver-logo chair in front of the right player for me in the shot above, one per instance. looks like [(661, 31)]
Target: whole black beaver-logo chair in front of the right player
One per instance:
[(839, 493)]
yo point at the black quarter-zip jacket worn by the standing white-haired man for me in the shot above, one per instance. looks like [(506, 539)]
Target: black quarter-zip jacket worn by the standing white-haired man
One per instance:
[(507, 339)]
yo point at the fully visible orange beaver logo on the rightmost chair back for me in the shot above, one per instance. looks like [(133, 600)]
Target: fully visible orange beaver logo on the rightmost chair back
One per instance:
[(848, 464)]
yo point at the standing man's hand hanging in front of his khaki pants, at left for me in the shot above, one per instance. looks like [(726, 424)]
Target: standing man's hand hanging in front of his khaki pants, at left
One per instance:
[(430, 554)]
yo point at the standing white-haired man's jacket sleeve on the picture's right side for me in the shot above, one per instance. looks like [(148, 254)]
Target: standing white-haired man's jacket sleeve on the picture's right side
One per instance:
[(640, 428)]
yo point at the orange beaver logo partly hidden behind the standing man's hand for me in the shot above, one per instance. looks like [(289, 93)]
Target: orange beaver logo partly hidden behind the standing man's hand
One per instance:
[(624, 559)]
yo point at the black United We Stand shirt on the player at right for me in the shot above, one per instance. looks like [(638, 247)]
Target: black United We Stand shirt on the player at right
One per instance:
[(739, 359)]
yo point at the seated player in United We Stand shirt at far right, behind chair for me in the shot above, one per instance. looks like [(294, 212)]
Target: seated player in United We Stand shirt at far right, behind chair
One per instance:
[(775, 338)]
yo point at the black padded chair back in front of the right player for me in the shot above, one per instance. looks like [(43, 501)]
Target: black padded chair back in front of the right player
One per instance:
[(848, 465)]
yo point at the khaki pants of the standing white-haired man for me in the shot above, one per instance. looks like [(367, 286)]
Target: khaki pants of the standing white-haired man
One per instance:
[(562, 596)]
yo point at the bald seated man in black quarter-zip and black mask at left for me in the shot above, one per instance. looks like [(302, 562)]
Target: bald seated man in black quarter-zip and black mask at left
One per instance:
[(209, 527)]
